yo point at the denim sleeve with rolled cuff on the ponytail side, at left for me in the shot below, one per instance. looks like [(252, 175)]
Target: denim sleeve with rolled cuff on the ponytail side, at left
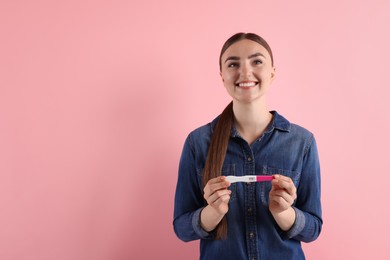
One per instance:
[(189, 200)]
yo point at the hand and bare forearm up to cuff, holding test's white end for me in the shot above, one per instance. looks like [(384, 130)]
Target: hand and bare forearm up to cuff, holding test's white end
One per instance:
[(217, 195)]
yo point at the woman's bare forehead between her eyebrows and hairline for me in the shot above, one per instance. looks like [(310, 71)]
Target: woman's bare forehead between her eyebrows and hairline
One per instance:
[(245, 48)]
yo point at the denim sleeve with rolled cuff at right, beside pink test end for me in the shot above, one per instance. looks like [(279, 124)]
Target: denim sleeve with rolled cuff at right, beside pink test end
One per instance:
[(308, 222)]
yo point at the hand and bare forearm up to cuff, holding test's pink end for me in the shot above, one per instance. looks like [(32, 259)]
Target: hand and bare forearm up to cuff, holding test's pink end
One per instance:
[(281, 198)]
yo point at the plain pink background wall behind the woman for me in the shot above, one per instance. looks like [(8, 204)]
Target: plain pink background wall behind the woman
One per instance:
[(97, 97)]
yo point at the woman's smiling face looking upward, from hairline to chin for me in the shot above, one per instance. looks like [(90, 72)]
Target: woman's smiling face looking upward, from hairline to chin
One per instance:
[(247, 71)]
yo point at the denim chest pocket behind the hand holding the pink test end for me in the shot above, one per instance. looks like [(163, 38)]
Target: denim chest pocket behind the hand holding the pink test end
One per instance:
[(265, 187)]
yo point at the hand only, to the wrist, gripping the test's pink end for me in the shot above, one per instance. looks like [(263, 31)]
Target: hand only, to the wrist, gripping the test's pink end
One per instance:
[(282, 194)]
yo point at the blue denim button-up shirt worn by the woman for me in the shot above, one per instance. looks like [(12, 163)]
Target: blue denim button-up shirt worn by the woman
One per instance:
[(285, 149)]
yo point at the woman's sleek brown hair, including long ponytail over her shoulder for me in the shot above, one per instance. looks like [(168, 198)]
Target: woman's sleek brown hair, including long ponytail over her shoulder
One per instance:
[(220, 138)]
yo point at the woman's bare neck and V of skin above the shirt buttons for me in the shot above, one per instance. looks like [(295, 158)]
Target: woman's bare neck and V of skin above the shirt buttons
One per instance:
[(251, 119)]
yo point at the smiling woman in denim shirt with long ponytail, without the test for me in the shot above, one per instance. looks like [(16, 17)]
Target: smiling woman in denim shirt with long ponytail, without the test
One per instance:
[(261, 220)]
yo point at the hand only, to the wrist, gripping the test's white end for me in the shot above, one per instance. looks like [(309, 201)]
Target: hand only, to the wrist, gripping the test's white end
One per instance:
[(217, 195)]
